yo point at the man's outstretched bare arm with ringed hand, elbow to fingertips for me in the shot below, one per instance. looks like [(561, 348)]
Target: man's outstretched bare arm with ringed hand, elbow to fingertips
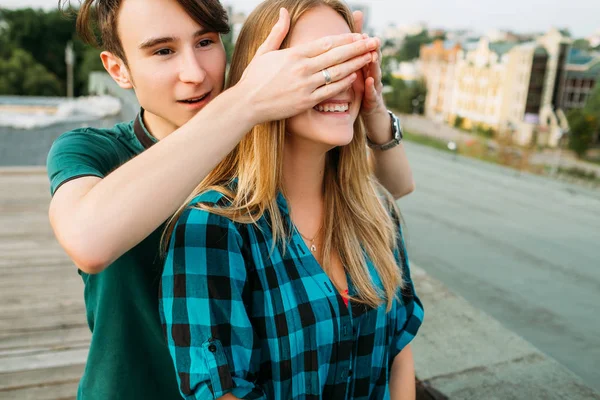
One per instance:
[(98, 220)]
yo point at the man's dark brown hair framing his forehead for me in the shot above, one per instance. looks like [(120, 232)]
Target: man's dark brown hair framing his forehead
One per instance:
[(103, 15)]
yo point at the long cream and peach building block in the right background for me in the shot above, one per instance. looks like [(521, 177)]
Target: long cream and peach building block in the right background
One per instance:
[(512, 88)]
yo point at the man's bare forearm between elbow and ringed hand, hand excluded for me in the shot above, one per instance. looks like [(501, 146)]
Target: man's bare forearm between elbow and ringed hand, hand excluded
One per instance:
[(124, 207)]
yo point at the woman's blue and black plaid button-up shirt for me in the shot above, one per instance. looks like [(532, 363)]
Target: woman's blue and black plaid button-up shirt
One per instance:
[(240, 318)]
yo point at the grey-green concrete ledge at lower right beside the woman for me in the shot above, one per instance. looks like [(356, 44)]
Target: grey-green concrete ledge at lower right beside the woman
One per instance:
[(466, 354)]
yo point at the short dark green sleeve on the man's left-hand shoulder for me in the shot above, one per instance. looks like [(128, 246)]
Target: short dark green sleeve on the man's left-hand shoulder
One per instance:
[(77, 154)]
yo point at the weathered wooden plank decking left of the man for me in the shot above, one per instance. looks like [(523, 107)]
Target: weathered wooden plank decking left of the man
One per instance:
[(44, 337)]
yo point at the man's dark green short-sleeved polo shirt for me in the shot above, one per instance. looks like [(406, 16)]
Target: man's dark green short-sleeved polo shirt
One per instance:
[(128, 357)]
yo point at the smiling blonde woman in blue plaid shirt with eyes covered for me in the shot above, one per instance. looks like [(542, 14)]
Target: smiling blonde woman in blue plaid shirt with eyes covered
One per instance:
[(286, 276)]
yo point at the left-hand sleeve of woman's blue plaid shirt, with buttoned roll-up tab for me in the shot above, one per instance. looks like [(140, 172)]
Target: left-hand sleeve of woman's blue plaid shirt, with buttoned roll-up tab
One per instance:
[(208, 331)]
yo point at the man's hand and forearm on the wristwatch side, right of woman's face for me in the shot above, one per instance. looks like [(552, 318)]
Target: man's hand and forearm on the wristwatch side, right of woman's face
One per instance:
[(392, 168)]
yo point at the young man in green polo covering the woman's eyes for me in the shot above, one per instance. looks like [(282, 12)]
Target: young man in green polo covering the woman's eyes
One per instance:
[(113, 189)]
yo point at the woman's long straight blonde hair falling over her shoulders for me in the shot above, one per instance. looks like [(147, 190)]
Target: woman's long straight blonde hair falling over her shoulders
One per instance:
[(356, 222)]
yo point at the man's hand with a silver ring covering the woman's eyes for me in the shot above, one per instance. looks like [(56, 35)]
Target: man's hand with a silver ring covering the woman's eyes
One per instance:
[(283, 83)]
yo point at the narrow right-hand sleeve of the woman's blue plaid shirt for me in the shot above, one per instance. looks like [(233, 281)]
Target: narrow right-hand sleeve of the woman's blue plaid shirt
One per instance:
[(410, 311)]
